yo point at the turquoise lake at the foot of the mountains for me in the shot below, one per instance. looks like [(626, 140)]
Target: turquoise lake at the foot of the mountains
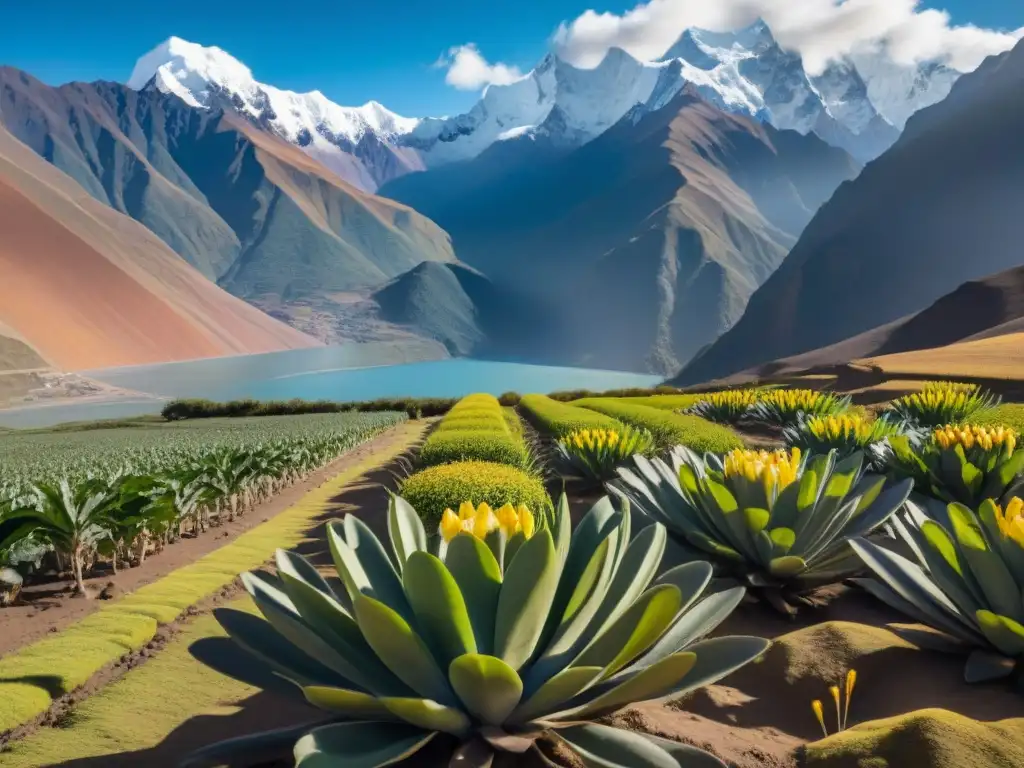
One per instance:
[(325, 373)]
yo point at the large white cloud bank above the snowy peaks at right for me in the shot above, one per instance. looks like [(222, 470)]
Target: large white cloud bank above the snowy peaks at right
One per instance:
[(820, 30)]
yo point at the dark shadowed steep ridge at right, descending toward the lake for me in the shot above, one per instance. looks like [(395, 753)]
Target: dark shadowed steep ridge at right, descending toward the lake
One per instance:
[(945, 206)]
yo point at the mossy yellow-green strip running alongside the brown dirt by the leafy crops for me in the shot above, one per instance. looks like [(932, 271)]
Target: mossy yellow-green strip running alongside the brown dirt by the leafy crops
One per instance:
[(65, 662)]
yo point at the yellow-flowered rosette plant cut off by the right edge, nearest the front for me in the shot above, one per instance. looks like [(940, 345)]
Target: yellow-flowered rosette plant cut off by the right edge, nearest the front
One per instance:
[(966, 581)]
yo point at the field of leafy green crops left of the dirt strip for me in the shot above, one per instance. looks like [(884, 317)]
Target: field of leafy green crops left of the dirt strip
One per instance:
[(72, 501)]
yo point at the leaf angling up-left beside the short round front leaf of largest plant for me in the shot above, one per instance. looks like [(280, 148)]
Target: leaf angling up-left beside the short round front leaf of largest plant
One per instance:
[(401, 650)]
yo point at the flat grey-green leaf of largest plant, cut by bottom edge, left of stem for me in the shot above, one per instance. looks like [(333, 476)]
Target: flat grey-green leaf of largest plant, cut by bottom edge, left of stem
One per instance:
[(360, 745)]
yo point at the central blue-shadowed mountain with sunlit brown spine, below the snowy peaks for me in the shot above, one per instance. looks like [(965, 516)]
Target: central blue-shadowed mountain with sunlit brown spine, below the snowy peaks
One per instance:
[(651, 238)]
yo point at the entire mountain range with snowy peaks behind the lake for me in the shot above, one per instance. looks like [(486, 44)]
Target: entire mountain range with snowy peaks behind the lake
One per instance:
[(621, 217)]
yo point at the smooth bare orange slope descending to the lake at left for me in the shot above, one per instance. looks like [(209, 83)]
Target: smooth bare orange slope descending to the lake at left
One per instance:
[(88, 287)]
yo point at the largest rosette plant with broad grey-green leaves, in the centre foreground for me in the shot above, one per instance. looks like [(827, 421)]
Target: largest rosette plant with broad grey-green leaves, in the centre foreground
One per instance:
[(476, 660)]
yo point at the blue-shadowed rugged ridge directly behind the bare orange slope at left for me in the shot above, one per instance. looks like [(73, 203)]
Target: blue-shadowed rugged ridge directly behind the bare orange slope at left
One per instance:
[(250, 211)]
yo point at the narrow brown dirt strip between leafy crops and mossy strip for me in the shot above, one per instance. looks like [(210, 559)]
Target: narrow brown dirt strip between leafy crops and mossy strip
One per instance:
[(49, 608)]
